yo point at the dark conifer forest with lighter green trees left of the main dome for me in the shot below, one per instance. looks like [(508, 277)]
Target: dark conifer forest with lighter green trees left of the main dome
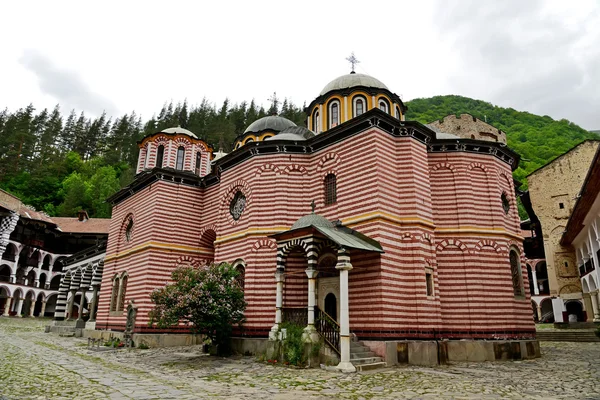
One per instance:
[(60, 164)]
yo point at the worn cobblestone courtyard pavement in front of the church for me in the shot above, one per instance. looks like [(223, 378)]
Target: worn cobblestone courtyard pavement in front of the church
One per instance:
[(35, 365)]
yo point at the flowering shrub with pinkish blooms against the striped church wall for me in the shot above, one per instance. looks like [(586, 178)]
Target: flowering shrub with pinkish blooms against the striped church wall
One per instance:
[(207, 298)]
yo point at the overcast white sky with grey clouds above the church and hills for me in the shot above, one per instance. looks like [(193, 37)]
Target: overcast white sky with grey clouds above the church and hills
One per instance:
[(119, 56)]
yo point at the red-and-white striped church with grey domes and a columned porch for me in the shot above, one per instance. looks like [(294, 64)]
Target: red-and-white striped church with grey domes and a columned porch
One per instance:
[(387, 228)]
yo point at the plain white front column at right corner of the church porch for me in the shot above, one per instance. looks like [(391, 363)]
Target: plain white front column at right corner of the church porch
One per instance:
[(344, 266)]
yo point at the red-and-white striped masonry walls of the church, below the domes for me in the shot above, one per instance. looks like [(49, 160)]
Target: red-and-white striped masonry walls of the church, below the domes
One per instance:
[(435, 206)]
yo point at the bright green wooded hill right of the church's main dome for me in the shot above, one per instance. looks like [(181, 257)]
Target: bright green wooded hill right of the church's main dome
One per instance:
[(537, 139)]
